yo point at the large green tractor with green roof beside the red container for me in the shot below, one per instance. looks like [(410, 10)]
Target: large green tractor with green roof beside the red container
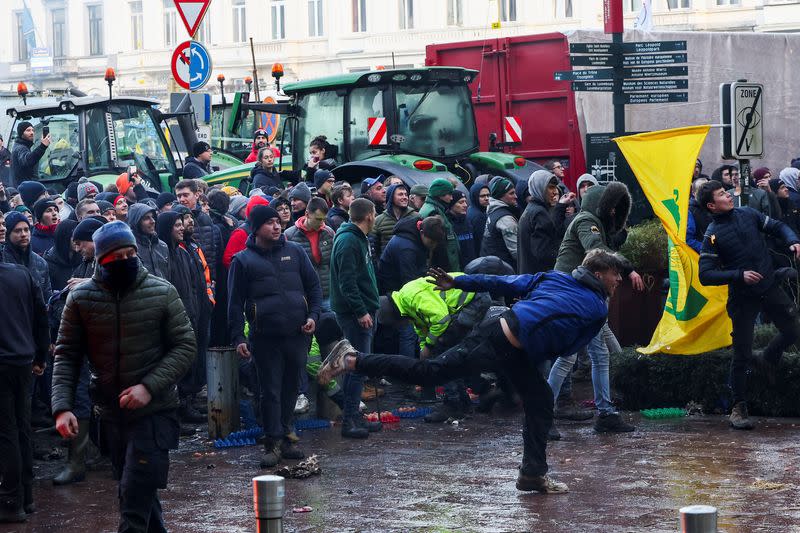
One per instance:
[(430, 123)]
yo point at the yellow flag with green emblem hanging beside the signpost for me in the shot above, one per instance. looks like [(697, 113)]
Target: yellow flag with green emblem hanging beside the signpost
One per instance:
[(695, 319)]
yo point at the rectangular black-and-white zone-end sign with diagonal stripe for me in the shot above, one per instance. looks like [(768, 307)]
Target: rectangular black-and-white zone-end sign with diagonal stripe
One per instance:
[(747, 120)]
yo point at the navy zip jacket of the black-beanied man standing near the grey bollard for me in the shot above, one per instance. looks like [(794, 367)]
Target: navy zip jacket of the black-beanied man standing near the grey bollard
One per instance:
[(278, 289)]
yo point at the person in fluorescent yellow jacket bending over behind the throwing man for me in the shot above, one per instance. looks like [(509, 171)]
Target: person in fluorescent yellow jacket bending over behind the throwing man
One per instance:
[(441, 319)]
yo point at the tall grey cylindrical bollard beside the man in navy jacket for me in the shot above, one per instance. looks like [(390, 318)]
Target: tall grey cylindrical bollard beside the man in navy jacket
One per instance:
[(222, 373)]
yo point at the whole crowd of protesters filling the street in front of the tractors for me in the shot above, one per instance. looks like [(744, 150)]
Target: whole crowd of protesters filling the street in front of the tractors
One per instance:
[(118, 293)]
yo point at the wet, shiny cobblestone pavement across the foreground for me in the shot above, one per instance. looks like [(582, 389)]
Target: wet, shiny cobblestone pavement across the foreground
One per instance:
[(415, 476)]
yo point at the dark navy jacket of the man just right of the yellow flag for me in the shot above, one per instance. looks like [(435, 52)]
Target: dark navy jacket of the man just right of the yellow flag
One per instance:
[(733, 243)]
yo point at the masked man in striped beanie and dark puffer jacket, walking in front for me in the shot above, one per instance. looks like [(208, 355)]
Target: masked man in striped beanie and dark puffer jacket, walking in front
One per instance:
[(139, 342)]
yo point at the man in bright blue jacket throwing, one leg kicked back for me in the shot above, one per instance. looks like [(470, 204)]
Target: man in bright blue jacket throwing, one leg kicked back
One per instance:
[(557, 313)]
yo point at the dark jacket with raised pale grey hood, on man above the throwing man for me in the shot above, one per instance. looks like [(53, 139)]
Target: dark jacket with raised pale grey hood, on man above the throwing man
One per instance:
[(541, 227)]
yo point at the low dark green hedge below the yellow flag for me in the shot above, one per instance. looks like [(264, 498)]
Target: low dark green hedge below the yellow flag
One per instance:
[(654, 381)]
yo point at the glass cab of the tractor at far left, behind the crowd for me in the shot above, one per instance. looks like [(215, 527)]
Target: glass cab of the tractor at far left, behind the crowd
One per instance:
[(100, 138)]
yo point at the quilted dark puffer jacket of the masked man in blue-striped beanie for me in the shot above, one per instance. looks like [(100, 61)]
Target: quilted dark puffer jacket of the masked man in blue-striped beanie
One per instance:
[(141, 336)]
